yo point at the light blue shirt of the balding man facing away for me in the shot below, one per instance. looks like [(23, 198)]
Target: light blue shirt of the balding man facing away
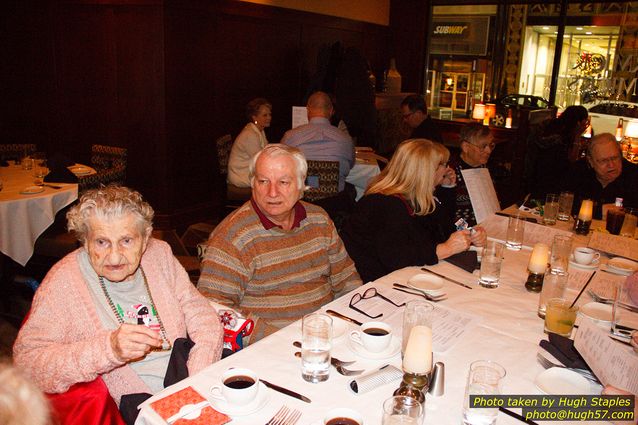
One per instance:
[(321, 141)]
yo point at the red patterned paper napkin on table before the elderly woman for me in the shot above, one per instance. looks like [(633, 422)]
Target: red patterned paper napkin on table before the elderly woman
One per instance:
[(170, 405)]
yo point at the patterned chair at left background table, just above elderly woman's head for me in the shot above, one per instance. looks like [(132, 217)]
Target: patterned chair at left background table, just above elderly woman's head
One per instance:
[(110, 164)]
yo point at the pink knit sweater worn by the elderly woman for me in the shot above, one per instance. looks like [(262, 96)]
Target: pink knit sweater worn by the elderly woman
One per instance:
[(63, 341)]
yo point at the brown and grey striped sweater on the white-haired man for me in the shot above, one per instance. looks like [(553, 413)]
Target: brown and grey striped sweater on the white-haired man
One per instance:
[(275, 276)]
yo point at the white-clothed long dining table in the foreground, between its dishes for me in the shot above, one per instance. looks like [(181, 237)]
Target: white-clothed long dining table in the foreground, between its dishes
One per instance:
[(498, 324)]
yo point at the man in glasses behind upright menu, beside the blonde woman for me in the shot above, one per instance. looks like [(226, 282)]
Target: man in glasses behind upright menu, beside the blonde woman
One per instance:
[(476, 147)]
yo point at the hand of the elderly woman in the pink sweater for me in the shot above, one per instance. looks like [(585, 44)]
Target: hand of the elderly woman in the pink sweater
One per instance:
[(131, 342)]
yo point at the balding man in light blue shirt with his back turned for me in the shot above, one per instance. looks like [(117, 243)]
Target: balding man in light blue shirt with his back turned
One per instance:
[(321, 141)]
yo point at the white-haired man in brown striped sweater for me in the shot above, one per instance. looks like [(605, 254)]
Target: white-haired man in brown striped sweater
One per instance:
[(276, 258)]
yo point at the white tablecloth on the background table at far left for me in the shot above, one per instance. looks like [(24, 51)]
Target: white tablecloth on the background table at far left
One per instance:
[(23, 218)]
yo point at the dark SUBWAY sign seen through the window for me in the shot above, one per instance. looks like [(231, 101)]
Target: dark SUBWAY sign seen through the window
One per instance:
[(459, 35)]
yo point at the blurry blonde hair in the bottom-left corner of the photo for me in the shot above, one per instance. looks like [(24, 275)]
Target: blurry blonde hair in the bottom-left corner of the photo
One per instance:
[(21, 402)]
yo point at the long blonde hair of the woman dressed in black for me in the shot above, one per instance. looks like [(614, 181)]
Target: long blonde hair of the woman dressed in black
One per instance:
[(410, 173)]
